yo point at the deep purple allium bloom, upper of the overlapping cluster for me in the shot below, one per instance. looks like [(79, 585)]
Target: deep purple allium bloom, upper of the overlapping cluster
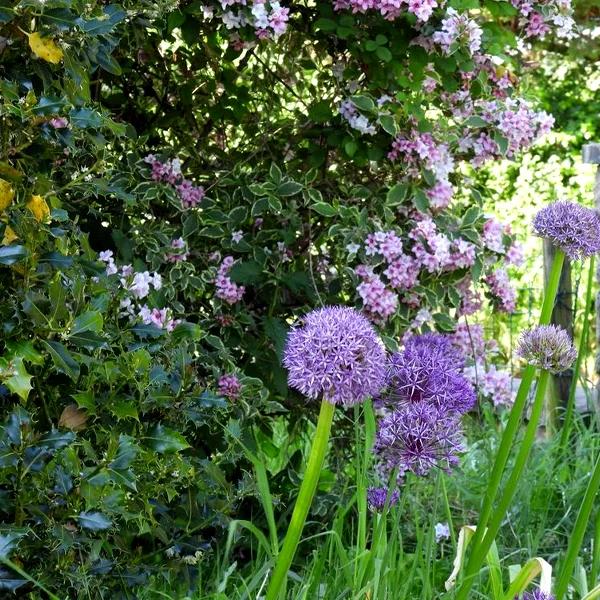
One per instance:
[(428, 370)]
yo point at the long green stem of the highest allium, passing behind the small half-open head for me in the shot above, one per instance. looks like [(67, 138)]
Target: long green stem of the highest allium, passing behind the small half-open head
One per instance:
[(514, 420)]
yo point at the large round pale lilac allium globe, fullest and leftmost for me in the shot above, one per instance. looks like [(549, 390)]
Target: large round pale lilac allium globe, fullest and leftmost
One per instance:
[(335, 353)]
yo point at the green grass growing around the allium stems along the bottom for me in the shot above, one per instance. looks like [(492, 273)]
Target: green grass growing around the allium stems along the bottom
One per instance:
[(342, 556)]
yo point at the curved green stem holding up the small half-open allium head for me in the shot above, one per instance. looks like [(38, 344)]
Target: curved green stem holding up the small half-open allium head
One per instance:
[(479, 554)]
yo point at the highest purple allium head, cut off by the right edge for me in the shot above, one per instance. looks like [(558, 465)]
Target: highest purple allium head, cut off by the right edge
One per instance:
[(575, 229)]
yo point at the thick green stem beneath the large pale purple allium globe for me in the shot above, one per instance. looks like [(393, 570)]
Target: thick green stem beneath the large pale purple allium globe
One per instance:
[(305, 496)]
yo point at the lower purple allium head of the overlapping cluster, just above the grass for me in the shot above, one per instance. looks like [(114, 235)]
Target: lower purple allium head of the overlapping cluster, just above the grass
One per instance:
[(418, 437)]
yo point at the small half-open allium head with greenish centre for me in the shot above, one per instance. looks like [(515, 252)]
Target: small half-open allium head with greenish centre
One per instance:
[(547, 347)]
